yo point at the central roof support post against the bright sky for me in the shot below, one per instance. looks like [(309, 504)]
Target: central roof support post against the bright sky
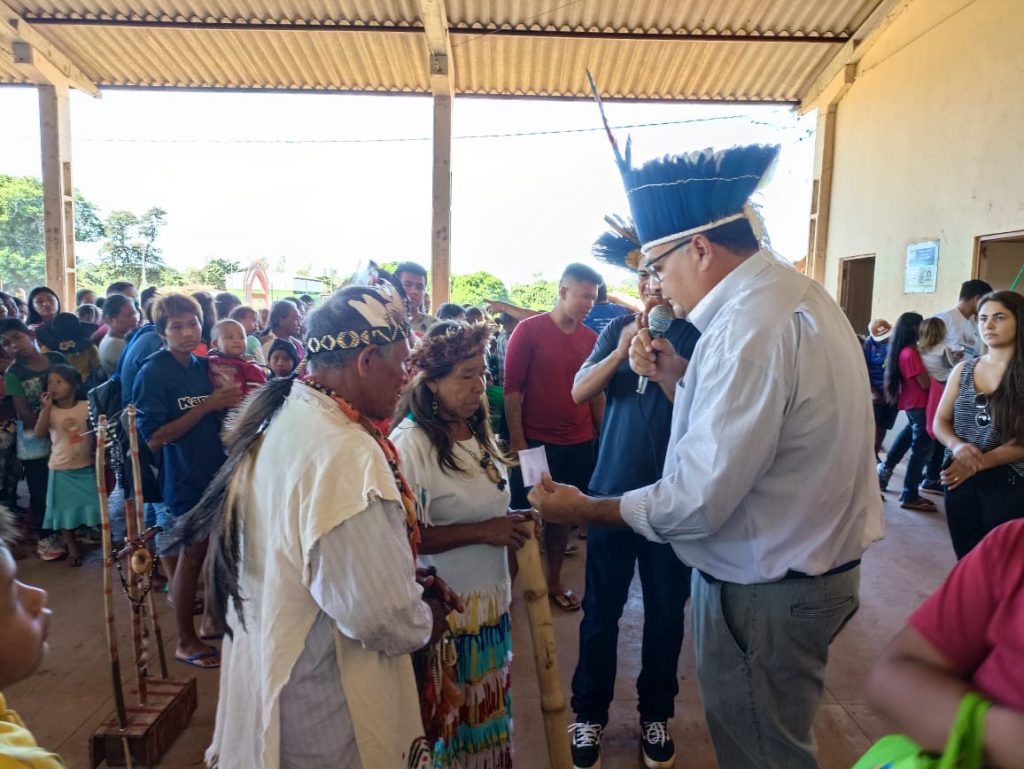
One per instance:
[(441, 244)]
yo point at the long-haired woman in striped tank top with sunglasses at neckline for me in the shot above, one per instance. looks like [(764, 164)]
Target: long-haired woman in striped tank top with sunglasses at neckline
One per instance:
[(982, 423)]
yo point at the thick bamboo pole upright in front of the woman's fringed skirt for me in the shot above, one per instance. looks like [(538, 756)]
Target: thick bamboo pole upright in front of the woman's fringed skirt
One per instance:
[(542, 632)]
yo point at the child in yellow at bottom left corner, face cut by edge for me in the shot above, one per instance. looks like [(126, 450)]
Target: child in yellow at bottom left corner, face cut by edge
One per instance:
[(24, 624)]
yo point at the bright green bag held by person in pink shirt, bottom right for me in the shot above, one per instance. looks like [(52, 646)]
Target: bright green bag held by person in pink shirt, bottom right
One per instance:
[(965, 749)]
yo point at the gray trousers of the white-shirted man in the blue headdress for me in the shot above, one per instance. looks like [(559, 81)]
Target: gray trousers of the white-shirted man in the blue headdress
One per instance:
[(761, 655)]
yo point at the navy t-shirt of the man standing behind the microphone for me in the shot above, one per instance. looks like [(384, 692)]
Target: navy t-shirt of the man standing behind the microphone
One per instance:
[(635, 434)]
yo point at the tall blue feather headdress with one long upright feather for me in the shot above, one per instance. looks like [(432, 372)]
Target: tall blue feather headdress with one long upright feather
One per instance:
[(679, 196)]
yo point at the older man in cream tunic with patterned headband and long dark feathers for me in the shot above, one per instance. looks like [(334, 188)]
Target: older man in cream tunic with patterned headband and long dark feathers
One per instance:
[(313, 547)]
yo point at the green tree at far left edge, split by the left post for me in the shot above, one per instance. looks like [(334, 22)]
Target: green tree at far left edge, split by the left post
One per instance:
[(23, 252)]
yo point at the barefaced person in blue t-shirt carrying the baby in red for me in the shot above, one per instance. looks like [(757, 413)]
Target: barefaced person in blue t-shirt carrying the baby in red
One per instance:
[(180, 416)]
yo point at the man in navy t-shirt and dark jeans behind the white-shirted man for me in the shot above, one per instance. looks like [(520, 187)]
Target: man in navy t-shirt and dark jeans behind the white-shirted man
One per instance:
[(634, 441)]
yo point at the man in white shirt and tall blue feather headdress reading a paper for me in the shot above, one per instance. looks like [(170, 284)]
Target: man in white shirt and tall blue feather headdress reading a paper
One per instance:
[(769, 490)]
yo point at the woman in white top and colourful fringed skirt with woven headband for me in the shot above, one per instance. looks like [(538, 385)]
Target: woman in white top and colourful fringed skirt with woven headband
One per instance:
[(458, 476)]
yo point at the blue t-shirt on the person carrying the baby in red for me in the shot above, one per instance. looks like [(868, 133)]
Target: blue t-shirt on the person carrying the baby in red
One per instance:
[(164, 392)]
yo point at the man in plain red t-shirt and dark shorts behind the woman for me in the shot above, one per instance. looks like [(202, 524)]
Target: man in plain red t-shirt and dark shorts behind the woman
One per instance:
[(541, 362)]
